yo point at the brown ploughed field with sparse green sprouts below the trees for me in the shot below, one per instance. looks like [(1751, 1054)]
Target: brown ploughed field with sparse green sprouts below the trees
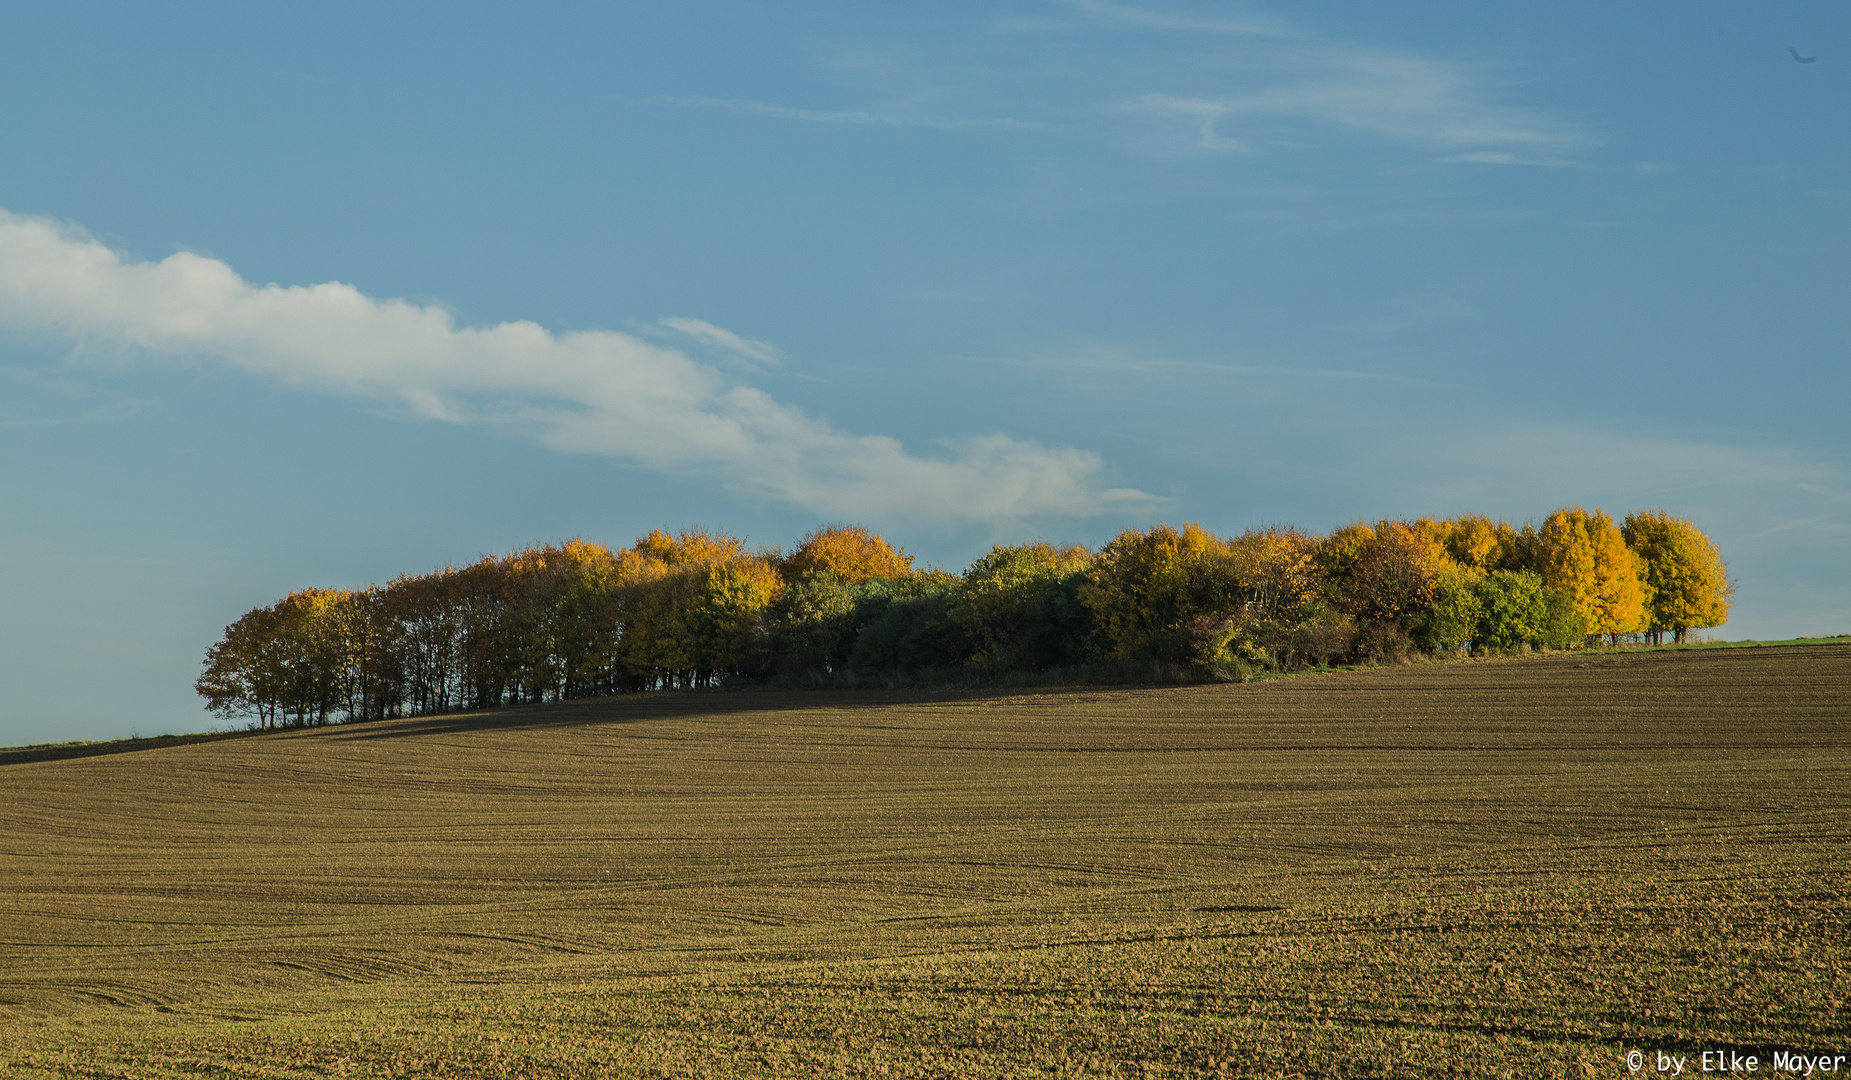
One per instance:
[(1489, 868)]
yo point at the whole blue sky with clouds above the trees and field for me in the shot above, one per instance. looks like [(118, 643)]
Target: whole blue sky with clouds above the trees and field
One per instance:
[(321, 295)]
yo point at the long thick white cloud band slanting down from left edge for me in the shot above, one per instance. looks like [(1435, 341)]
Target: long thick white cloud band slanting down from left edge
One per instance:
[(588, 392)]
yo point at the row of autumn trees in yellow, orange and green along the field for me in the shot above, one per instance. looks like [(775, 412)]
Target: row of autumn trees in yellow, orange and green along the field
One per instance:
[(699, 609)]
